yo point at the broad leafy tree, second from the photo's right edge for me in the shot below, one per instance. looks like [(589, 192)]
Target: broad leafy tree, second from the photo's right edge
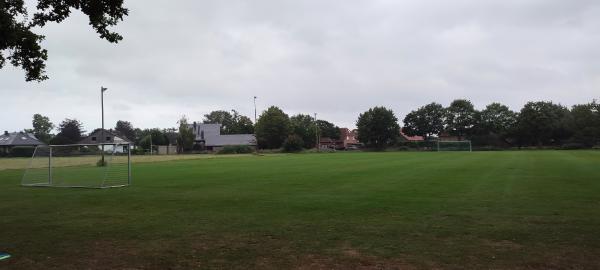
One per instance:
[(543, 123)]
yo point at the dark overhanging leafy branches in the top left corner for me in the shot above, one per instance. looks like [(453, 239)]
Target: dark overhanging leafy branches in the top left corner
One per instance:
[(24, 46)]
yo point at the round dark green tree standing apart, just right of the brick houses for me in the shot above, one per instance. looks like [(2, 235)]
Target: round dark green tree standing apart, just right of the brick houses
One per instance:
[(378, 127)]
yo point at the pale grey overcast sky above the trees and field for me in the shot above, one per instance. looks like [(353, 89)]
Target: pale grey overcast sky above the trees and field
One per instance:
[(335, 58)]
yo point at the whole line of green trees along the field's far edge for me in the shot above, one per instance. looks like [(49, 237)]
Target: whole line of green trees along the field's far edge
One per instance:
[(539, 124)]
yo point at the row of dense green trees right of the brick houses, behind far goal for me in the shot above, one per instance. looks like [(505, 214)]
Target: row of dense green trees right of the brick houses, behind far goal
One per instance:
[(539, 124)]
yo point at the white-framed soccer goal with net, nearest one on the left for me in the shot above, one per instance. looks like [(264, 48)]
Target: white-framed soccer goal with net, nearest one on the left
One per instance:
[(79, 165)]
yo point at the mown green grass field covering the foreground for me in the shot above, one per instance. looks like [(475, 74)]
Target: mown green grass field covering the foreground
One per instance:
[(401, 210)]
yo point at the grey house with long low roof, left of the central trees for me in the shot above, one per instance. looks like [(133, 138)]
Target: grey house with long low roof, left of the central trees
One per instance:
[(209, 137)]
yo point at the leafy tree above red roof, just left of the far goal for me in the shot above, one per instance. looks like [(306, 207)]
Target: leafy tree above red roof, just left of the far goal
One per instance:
[(425, 121)]
